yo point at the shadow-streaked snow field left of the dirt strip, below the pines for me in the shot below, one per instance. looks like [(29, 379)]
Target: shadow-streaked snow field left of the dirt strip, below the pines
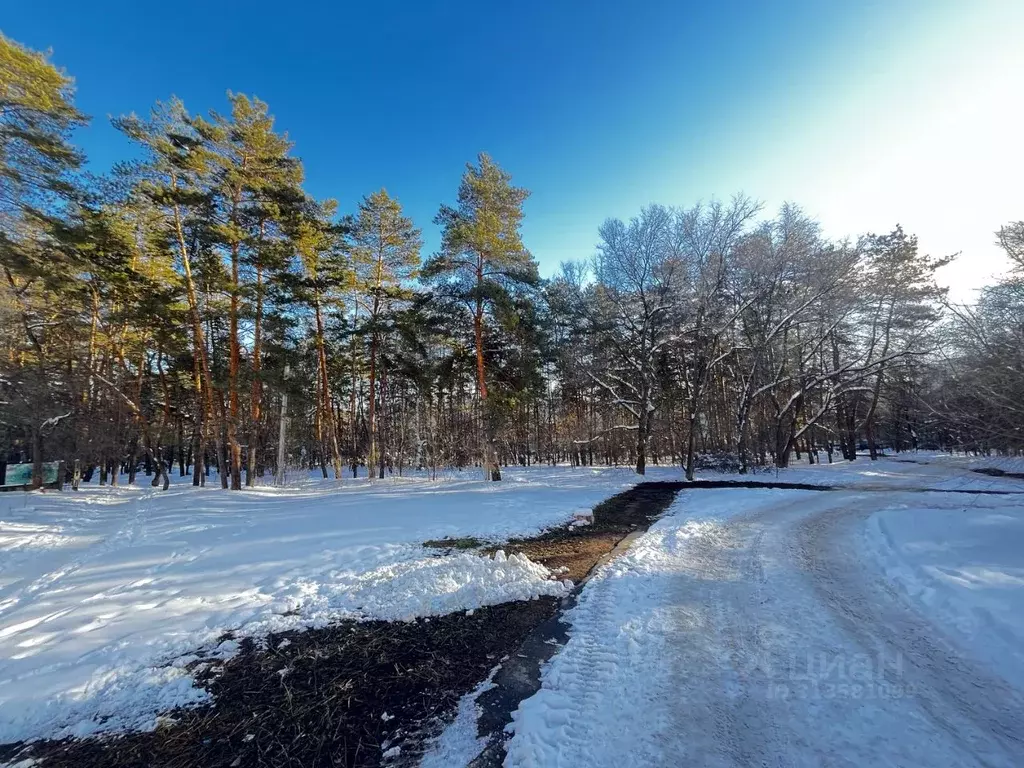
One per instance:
[(101, 590)]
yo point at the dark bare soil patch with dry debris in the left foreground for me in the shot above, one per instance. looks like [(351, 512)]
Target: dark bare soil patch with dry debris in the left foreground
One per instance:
[(335, 697)]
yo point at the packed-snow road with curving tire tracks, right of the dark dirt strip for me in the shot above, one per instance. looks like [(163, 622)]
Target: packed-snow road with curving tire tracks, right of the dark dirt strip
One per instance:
[(748, 628)]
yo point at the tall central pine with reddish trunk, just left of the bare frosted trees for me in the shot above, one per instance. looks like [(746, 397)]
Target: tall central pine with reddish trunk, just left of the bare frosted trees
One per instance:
[(482, 258)]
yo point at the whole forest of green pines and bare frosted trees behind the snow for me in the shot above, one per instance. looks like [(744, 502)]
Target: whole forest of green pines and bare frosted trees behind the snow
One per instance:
[(195, 312)]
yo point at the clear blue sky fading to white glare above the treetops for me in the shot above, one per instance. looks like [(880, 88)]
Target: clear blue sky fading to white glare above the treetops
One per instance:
[(868, 114)]
